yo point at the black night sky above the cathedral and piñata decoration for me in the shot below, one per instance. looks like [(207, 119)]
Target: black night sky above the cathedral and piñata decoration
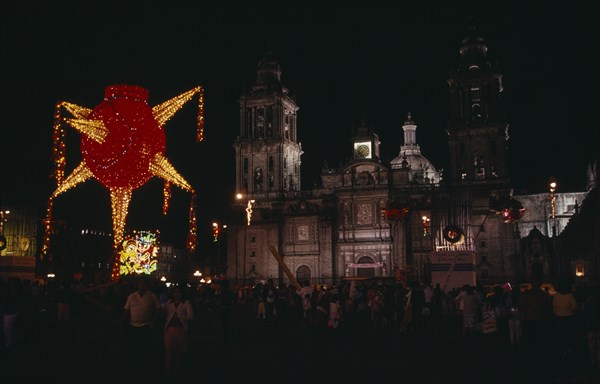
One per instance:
[(341, 60)]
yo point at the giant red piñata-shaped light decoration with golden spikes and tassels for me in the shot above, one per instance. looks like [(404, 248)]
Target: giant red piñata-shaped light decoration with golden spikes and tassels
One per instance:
[(123, 146)]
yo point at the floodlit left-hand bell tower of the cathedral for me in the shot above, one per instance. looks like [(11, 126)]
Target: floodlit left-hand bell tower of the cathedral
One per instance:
[(267, 150)]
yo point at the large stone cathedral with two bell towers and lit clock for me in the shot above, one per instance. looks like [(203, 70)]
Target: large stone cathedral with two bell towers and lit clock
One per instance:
[(405, 219)]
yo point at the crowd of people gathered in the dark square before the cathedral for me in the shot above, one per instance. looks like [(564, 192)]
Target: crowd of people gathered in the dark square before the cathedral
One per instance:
[(153, 315)]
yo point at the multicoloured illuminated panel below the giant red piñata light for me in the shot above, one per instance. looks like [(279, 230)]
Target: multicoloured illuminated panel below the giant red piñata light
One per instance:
[(139, 253)]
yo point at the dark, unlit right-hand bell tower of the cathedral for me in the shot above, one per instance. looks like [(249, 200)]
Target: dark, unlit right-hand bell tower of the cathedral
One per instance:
[(477, 130)]
